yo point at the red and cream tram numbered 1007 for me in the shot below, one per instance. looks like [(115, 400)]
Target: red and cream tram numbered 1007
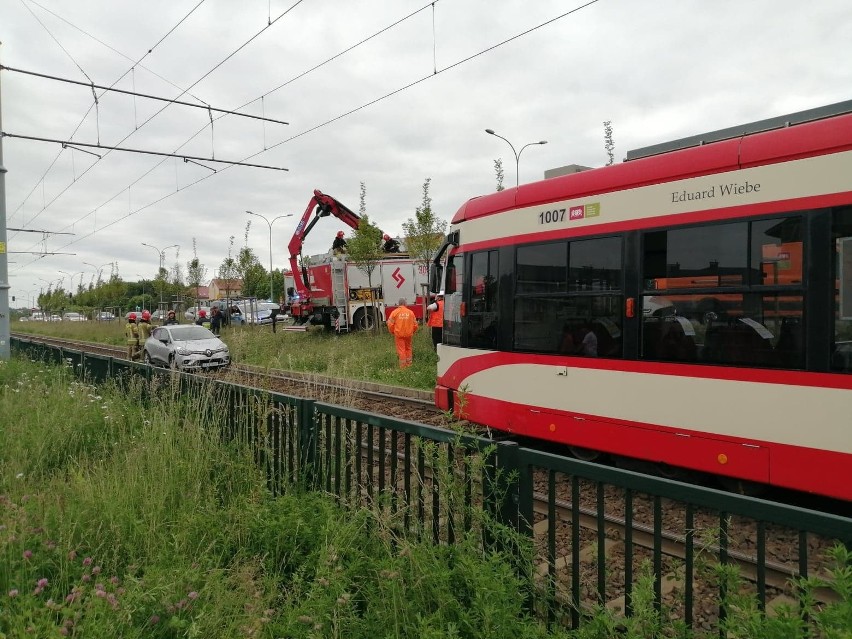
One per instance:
[(690, 307)]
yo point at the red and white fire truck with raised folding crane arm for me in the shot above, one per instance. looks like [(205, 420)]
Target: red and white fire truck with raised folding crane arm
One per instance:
[(332, 291)]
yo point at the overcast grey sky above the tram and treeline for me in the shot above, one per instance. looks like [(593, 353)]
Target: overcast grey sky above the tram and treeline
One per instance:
[(385, 92)]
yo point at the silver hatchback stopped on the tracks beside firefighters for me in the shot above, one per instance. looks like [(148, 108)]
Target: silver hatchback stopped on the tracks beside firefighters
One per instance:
[(185, 347)]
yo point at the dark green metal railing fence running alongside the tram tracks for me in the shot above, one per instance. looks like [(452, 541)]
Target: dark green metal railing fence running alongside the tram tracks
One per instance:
[(590, 533)]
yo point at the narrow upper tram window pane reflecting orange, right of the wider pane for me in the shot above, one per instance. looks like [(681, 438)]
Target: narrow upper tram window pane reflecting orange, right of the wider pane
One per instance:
[(776, 252)]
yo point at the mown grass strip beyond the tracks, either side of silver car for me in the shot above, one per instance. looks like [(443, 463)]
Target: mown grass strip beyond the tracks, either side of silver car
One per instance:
[(361, 355)]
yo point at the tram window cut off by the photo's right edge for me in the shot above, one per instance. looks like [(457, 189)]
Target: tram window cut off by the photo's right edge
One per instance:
[(841, 354)]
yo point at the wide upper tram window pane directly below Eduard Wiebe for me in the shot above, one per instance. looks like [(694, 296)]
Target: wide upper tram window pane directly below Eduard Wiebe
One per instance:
[(698, 257)]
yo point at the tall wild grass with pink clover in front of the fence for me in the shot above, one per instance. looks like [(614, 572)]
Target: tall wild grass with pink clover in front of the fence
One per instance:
[(127, 517)]
